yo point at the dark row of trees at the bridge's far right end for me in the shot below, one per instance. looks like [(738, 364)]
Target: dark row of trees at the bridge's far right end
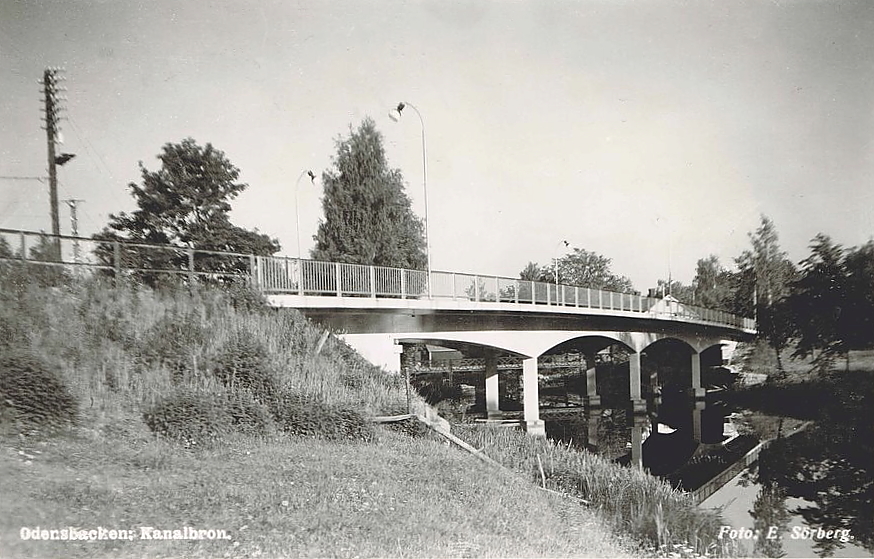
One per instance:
[(823, 306)]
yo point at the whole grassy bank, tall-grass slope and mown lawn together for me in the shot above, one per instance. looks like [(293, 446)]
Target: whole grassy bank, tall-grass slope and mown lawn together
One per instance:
[(254, 411)]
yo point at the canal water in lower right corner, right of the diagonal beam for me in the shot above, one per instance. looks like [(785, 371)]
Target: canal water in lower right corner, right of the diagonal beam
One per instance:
[(813, 491)]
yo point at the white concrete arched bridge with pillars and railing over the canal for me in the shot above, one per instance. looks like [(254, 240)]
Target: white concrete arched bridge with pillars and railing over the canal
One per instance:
[(381, 311)]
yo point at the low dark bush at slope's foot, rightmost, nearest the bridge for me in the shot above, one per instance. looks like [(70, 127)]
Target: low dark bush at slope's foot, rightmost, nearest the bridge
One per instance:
[(299, 416)]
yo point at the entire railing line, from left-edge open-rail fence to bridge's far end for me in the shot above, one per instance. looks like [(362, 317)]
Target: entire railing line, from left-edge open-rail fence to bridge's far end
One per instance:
[(283, 275)]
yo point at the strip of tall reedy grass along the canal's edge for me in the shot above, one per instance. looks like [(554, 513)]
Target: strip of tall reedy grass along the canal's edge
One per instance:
[(631, 501)]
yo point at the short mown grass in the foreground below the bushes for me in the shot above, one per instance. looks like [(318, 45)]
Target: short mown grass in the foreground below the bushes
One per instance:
[(287, 497)]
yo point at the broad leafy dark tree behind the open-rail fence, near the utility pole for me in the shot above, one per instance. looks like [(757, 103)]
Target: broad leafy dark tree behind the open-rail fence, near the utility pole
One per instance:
[(186, 204)]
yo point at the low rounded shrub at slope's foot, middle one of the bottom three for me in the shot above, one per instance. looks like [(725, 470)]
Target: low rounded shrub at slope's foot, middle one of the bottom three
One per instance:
[(190, 416)]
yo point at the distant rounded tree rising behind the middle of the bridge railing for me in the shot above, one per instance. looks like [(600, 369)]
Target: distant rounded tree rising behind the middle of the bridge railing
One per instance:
[(582, 268)]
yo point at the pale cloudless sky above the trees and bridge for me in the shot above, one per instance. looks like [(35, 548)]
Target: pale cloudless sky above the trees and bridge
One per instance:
[(655, 133)]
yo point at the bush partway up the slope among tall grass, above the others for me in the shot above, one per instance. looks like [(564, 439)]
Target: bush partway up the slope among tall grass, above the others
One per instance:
[(243, 364)]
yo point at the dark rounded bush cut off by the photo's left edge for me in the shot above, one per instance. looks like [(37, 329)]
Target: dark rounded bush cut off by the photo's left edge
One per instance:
[(31, 392)]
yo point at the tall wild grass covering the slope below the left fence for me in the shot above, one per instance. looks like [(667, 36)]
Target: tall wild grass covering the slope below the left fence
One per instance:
[(125, 347)]
